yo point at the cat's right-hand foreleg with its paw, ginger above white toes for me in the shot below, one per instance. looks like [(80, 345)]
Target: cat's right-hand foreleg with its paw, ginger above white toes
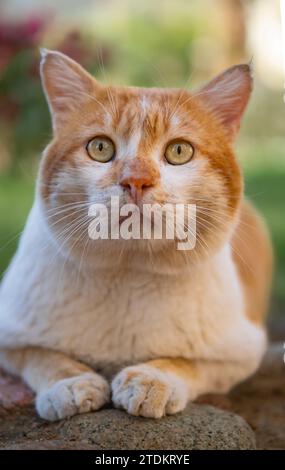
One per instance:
[(164, 386)]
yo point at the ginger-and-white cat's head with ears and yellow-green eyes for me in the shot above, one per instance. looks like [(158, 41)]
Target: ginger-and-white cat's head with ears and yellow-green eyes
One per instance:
[(145, 146)]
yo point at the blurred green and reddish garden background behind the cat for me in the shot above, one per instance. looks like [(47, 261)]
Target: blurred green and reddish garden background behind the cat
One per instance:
[(150, 43)]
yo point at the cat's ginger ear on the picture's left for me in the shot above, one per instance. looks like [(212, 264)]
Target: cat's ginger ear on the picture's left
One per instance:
[(66, 85)]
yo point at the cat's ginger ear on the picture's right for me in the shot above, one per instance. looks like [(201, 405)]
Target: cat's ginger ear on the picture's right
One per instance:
[(227, 95)]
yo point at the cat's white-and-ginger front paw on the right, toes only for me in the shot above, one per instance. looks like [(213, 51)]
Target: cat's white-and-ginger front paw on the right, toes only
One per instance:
[(143, 390)]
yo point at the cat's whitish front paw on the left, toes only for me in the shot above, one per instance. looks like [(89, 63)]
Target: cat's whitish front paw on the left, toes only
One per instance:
[(74, 395)]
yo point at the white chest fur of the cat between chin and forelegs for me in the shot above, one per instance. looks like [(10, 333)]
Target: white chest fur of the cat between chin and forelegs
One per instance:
[(126, 316)]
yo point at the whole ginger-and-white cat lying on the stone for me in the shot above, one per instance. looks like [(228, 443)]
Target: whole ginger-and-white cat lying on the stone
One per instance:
[(138, 322)]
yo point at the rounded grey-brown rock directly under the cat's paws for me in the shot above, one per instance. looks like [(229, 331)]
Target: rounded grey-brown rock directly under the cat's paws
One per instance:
[(199, 427)]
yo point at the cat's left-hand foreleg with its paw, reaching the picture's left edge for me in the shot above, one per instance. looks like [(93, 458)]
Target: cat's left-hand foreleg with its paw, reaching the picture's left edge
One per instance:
[(64, 387)]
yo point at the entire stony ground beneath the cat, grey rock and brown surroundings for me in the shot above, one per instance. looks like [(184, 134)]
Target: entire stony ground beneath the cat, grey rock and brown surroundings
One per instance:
[(210, 424)]
